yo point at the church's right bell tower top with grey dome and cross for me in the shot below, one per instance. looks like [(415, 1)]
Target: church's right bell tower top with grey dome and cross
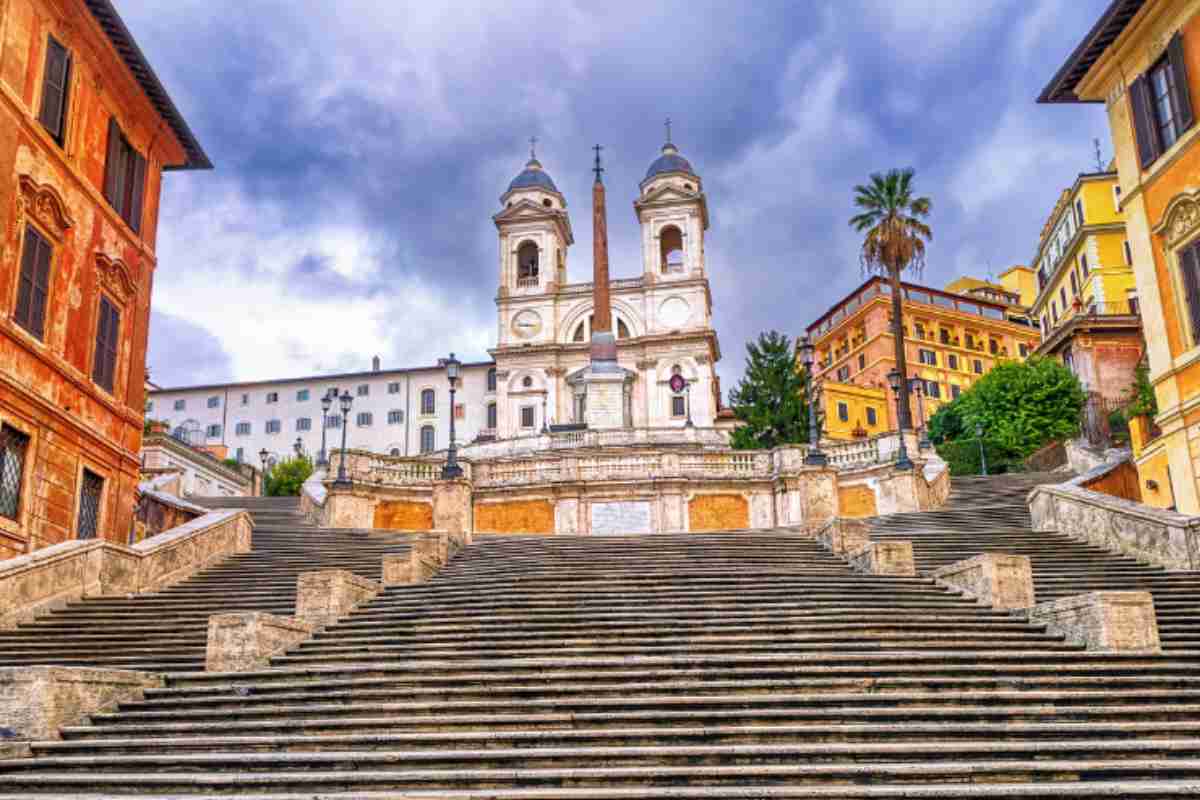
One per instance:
[(674, 214)]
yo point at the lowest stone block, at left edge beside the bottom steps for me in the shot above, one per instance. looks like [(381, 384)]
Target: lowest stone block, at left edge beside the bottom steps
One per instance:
[(38, 702)]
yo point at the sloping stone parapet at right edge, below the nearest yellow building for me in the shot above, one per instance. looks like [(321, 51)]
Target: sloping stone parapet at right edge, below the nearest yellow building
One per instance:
[(1162, 538)]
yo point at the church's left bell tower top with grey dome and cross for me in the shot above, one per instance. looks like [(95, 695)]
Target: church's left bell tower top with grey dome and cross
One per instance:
[(535, 232)]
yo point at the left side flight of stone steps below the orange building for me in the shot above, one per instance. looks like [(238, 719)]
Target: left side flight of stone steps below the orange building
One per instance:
[(167, 631)]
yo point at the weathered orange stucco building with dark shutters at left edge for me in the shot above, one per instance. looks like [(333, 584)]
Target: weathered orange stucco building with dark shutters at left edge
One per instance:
[(87, 133)]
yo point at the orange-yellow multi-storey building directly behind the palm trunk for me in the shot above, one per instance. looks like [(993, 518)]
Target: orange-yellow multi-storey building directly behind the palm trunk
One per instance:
[(951, 340)]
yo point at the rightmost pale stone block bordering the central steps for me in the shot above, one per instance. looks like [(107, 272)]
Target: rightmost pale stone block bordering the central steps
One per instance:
[(1111, 622)]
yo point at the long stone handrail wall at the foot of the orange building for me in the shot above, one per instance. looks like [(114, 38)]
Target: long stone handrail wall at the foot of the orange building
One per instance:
[(53, 576)]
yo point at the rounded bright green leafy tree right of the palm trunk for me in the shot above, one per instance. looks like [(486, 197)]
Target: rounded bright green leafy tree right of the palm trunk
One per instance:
[(1023, 406)]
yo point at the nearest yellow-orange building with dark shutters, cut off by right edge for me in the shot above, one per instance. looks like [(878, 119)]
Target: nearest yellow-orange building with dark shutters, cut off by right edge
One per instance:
[(1142, 59)]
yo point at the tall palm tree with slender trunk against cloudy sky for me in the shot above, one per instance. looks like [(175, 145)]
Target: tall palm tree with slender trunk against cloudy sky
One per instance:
[(896, 236)]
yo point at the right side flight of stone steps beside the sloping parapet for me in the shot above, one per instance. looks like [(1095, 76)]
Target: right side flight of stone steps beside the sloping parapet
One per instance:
[(991, 515)]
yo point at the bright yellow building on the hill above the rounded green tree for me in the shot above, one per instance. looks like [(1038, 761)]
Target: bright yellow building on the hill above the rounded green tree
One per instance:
[(1088, 300)]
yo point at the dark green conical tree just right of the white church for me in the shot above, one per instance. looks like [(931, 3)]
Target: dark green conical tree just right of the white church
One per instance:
[(771, 400)]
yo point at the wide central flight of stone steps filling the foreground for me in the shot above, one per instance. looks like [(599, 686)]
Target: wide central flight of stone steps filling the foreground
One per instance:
[(664, 666)]
